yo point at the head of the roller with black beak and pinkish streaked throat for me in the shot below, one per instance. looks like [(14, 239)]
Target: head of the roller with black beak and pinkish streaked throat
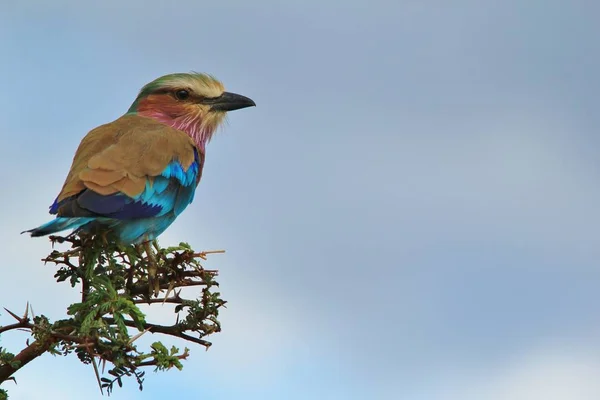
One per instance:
[(194, 103)]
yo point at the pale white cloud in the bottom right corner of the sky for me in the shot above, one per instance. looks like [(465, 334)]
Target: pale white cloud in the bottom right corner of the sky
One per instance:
[(553, 370)]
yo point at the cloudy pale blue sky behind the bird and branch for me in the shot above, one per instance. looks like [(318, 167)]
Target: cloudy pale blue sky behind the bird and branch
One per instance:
[(410, 212)]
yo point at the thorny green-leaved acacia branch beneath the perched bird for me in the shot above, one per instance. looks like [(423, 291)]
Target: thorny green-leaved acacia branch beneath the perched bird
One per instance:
[(114, 281)]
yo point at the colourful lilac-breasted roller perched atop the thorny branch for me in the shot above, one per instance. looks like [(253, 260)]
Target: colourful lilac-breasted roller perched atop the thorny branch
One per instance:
[(135, 175)]
